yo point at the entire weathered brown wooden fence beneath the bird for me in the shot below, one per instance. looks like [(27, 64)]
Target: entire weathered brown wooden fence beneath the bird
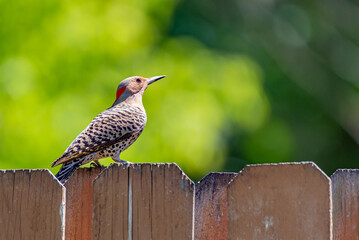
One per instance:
[(158, 201)]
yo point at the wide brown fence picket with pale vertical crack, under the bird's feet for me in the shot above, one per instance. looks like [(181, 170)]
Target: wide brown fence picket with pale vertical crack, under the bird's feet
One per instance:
[(143, 201)]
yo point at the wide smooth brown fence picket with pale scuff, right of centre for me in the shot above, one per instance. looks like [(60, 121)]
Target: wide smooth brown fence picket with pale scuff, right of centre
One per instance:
[(280, 201)]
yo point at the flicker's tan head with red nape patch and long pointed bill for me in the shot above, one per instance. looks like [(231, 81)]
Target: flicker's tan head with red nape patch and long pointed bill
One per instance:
[(133, 86)]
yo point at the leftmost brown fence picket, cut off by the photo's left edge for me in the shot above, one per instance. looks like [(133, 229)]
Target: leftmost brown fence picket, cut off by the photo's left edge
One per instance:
[(31, 205)]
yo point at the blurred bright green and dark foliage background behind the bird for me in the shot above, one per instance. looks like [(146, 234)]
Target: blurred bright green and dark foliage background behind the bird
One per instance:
[(247, 81)]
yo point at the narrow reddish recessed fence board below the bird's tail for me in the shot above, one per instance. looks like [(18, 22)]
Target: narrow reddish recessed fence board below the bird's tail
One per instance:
[(79, 203)]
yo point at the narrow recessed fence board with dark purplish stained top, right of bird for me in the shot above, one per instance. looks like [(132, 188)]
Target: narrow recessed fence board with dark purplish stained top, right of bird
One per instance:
[(211, 220)]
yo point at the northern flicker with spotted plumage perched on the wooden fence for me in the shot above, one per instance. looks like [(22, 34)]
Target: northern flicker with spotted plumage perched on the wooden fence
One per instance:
[(110, 132)]
